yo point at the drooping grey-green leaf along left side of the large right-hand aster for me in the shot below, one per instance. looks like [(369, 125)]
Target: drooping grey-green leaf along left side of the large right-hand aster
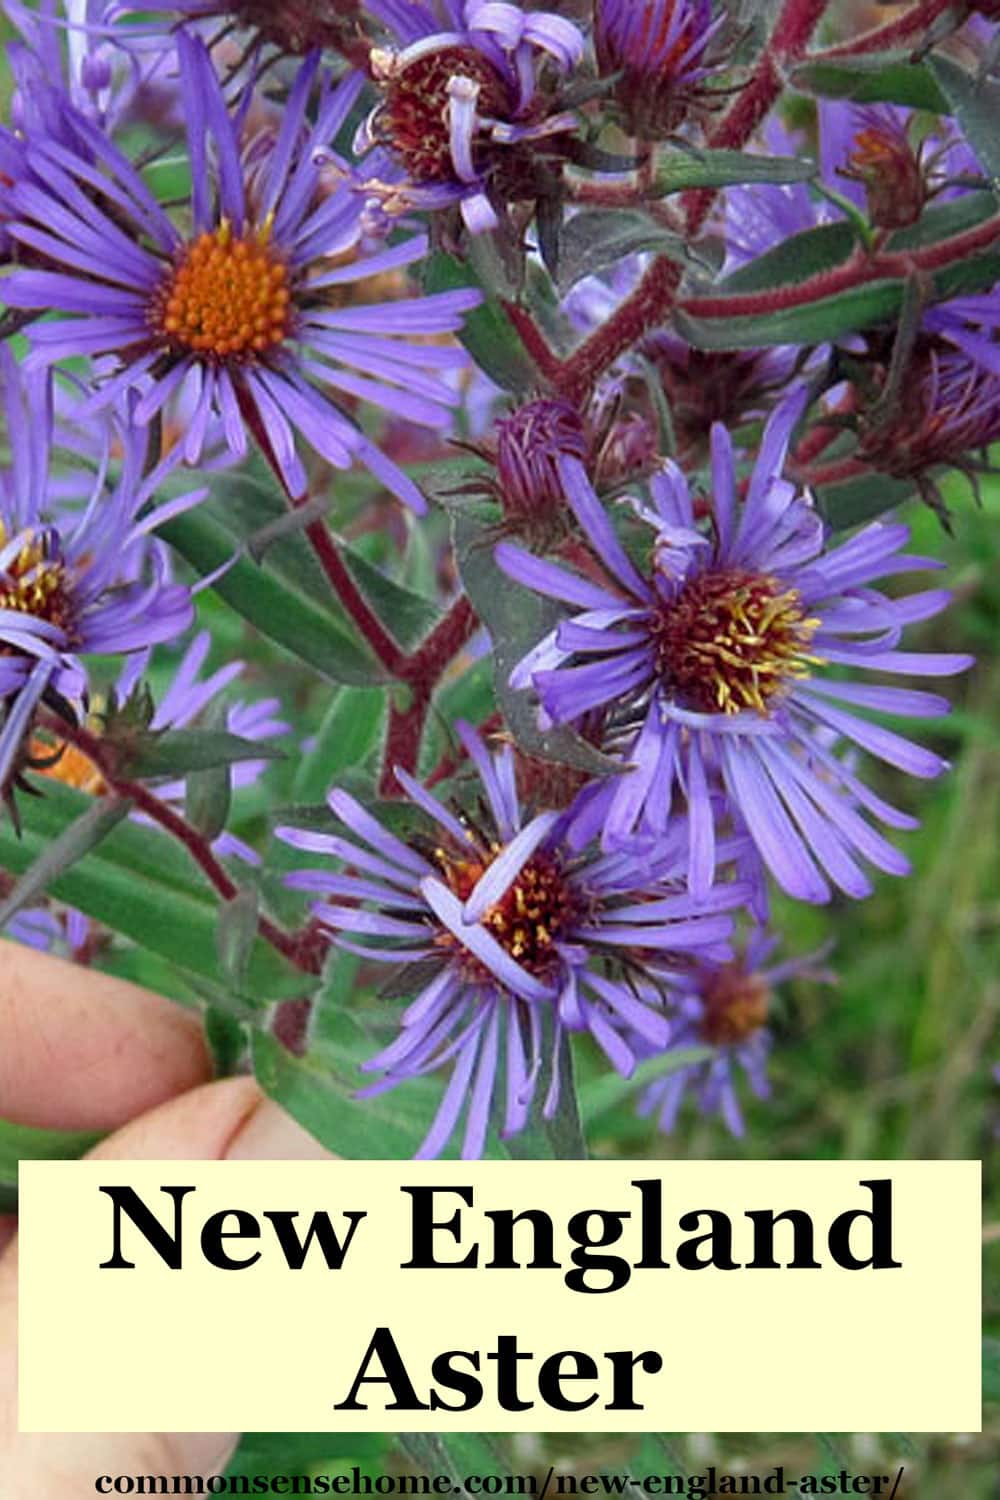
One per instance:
[(518, 620)]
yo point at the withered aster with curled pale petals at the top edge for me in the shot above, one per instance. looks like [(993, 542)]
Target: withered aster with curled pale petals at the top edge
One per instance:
[(463, 109)]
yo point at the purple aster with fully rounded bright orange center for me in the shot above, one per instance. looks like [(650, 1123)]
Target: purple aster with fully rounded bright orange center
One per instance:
[(257, 308)]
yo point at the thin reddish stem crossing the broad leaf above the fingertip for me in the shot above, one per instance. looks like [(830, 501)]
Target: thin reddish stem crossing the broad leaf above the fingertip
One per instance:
[(304, 950)]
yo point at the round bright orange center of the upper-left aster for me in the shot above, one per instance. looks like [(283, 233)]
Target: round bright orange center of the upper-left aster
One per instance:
[(227, 298)]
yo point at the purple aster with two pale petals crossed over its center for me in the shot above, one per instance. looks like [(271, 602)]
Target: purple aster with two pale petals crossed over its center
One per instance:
[(527, 941)]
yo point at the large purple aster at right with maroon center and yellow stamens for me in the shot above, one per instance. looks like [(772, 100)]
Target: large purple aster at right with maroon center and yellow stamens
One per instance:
[(708, 661)]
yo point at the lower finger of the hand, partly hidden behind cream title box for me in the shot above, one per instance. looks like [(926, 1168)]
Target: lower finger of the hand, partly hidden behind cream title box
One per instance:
[(220, 1121)]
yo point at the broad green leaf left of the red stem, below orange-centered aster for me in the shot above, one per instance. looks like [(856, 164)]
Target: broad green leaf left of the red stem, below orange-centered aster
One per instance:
[(272, 607)]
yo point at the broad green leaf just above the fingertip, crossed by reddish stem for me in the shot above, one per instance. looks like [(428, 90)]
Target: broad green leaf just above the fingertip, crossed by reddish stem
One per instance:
[(142, 884)]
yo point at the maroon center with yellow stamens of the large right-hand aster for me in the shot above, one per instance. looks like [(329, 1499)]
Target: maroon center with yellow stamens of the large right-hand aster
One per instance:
[(734, 641)]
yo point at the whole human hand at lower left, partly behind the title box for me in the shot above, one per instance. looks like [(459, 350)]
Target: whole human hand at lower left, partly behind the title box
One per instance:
[(80, 1051)]
